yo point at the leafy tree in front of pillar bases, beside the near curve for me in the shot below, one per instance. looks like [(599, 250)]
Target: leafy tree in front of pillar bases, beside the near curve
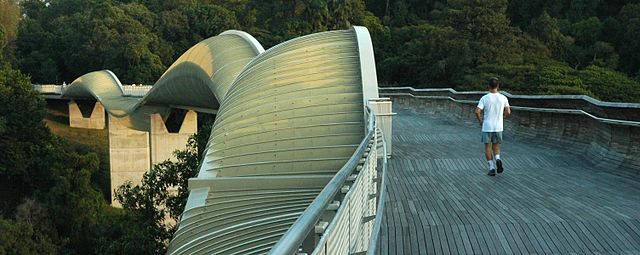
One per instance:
[(151, 208)]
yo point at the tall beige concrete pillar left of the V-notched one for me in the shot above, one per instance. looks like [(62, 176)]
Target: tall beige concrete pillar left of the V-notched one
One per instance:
[(129, 155)]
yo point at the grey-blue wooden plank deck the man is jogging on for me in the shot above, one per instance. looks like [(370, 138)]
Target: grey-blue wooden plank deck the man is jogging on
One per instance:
[(440, 200)]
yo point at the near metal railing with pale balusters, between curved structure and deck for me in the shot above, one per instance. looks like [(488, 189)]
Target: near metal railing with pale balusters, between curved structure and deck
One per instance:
[(340, 218)]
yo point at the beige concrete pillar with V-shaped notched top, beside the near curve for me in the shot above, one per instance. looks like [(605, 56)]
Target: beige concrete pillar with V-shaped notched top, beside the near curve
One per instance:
[(164, 143)]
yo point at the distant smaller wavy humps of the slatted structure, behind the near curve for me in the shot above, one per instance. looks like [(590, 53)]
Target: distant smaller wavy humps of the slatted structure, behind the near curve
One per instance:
[(199, 78)]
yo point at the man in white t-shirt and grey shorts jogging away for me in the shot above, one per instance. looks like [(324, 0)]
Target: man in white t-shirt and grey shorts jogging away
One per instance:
[(491, 111)]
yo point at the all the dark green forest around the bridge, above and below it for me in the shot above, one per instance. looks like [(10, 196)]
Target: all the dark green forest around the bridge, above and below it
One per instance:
[(53, 192)]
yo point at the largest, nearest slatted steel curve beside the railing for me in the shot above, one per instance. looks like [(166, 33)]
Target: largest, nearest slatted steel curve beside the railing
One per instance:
[(289, 122)]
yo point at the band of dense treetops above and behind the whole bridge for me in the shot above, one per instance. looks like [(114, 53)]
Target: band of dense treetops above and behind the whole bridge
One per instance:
[(428, 43)]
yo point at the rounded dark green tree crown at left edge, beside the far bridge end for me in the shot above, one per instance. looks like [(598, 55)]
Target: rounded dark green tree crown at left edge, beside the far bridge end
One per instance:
[(22, 134)]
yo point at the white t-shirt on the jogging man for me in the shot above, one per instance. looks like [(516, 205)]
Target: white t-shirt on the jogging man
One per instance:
[(493, 105)]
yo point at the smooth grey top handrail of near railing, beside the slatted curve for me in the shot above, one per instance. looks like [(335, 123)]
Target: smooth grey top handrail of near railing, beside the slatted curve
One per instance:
[(295, 235)]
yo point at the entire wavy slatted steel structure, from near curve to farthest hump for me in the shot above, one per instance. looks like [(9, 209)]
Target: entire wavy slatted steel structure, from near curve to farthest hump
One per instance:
[(288, 119)]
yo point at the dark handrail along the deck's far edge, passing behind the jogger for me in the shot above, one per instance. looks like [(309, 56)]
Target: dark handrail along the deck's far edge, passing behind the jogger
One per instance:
[(535, 109)]
